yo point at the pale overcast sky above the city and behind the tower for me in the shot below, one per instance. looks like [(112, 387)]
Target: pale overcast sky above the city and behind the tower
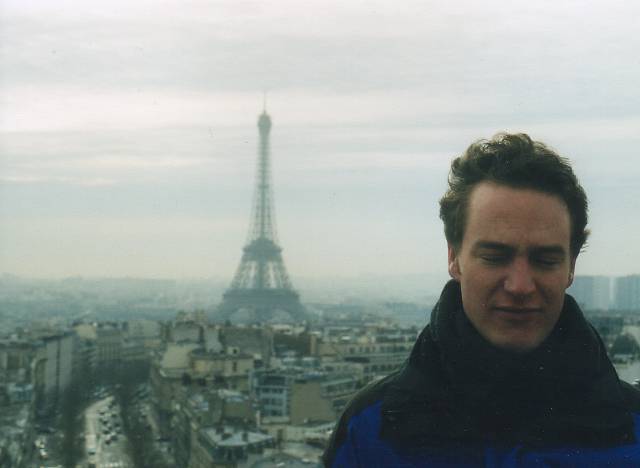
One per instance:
[(128, 128)]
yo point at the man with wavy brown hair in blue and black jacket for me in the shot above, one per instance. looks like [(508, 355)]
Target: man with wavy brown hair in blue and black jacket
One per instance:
[(508, 373)]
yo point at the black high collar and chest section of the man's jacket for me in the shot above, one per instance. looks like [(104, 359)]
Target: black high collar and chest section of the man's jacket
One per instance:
[(457, 388)]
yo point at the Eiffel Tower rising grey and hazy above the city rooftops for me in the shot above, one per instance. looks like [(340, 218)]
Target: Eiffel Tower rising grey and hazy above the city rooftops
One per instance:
[(261, 290)]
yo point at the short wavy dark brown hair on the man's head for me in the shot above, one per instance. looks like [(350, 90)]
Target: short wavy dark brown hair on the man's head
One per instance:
[(516, 161)]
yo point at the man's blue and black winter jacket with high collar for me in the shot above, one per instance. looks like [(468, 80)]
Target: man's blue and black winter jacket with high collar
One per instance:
[(458, 402)]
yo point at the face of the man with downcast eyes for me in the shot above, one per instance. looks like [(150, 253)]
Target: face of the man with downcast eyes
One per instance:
[(514, 264)]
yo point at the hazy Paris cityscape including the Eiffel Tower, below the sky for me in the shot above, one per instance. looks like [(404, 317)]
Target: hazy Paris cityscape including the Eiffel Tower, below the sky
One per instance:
[(124, 373)]
